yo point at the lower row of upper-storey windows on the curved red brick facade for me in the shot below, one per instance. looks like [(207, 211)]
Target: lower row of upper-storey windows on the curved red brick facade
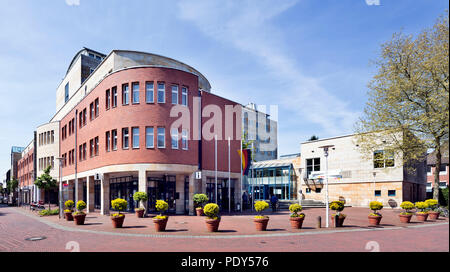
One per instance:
[(111, 142)]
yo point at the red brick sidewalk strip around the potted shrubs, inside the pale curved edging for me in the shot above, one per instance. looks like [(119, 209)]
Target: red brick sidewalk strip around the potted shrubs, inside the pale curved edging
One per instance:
[(236, 225)]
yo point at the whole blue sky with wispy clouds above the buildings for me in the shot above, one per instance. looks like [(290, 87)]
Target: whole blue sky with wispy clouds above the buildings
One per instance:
[(309, 57)]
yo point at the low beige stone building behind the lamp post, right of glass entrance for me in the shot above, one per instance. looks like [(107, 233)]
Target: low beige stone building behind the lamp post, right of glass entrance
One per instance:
[(358, 179)]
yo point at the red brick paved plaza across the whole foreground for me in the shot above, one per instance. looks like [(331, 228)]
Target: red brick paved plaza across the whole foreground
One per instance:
[(236, 233)]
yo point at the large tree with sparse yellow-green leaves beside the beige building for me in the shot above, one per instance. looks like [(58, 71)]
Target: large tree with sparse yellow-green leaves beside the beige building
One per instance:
[(409, 94)]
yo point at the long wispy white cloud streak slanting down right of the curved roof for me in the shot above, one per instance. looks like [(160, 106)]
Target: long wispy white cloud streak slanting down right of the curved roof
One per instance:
[(246, 25)]
